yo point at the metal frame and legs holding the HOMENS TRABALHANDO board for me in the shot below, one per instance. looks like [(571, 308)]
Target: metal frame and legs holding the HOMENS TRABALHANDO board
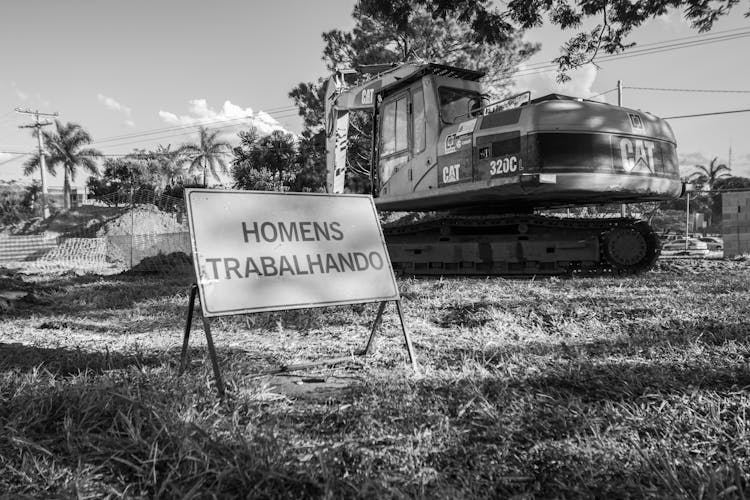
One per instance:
[(197, 291)]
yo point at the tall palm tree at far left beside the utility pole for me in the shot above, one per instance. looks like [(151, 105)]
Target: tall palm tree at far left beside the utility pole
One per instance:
[(66, 146)]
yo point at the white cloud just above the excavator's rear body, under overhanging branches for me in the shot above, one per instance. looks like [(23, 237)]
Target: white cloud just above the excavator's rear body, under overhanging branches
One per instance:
[(580, 84)]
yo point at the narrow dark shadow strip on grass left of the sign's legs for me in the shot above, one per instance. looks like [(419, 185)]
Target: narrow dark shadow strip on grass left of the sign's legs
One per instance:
[(66, 361)]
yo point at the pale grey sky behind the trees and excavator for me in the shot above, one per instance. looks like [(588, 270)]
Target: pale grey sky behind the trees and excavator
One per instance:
[(141, 73)]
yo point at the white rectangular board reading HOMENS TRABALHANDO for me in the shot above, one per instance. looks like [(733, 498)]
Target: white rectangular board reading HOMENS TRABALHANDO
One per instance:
[(262, 251)]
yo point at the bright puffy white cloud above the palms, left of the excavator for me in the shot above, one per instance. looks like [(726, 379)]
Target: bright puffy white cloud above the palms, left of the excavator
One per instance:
[(200, 113)]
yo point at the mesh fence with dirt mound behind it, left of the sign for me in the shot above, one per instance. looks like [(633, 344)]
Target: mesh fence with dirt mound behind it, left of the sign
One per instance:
[(139, 231)]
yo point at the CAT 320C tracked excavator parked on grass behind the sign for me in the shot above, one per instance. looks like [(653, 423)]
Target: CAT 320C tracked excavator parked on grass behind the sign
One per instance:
[(479, 173)]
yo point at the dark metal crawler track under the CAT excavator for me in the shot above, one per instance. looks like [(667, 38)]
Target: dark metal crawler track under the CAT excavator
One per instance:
[(521, 245)]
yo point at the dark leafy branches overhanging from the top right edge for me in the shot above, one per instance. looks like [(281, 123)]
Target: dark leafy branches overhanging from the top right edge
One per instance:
[(490, 24)]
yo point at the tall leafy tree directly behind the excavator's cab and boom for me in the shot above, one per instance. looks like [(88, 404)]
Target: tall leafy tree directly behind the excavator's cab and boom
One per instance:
[(379, 38)]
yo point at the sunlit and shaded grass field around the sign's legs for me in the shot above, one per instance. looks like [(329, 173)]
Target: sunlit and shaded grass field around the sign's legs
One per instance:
[(582, 387)]
